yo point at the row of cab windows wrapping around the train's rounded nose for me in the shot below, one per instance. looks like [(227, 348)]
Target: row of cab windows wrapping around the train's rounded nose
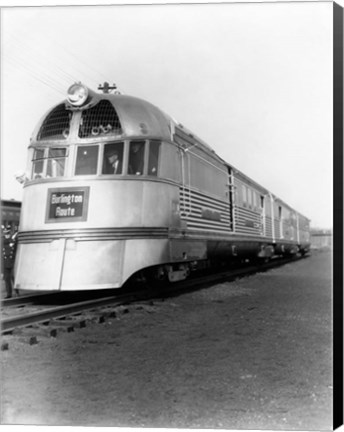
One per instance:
[(133, 158)]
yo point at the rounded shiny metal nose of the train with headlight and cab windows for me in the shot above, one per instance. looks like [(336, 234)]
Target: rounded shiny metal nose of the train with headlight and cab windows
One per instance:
[(96, 207)]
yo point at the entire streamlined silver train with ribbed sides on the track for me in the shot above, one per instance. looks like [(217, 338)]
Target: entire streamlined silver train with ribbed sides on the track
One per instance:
[(115, 189)]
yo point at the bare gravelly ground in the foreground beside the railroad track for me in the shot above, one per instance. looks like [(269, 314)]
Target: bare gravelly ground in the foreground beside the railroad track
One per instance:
[(251, 354)]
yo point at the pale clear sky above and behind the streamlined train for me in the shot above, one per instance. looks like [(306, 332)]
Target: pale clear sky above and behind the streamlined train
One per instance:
[(253, 80)]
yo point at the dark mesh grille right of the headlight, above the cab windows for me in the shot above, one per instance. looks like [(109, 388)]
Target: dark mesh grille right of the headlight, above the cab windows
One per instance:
[(101, 119)]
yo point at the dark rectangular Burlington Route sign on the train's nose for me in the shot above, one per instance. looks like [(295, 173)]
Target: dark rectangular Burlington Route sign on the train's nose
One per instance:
[(67, 204)]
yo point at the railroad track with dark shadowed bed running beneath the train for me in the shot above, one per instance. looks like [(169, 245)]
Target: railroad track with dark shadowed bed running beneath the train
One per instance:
[(39, 310)]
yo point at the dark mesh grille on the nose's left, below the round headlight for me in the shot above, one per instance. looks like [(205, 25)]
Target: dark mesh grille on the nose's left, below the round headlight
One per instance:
[(56, 125)]
